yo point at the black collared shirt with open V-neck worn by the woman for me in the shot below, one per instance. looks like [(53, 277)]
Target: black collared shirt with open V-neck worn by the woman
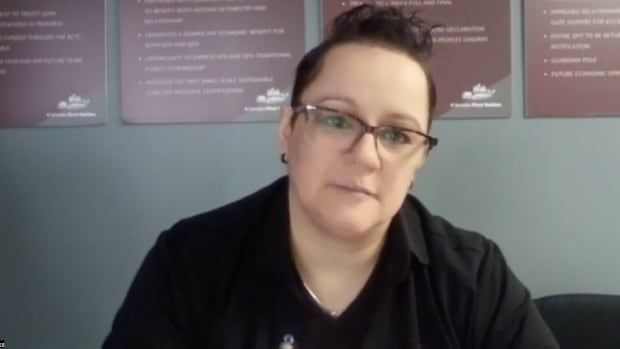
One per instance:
[(226, 279)]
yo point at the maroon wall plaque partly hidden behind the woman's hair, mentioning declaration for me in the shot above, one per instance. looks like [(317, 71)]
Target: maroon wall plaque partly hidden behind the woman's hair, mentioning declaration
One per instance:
[(471, 59)]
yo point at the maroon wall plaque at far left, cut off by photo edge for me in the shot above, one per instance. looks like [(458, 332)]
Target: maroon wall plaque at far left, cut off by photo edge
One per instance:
[(52, 63)]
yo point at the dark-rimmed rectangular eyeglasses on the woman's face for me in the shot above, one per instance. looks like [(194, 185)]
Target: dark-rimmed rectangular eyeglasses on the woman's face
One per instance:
[(343, 131)]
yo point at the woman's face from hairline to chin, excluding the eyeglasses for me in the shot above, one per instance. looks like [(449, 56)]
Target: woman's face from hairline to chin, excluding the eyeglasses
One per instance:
[(349, 192)]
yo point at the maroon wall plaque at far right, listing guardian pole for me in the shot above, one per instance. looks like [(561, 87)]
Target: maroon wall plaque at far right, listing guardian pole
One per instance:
[(572, 58)]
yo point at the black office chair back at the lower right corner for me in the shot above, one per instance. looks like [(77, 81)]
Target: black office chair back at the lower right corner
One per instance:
[(583, 321)]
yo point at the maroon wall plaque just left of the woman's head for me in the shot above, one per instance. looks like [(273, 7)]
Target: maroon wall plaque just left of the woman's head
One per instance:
[(208, 61)]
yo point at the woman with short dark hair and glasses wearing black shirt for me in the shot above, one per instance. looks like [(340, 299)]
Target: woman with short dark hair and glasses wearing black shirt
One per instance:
[(336, 254)]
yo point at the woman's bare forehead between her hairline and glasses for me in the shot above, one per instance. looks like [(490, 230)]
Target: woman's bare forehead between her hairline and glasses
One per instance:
[(374, 80)]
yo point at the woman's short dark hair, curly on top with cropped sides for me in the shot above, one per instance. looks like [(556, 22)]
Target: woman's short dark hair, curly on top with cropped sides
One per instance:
[(388, 26)]
